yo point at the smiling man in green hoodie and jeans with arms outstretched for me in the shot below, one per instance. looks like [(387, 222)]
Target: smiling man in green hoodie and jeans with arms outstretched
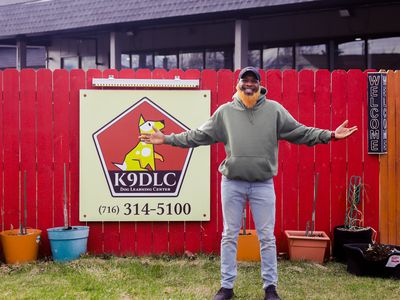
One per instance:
[(250, 127)]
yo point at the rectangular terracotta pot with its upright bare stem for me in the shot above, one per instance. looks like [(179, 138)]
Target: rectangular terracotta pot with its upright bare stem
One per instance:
[(309, 244)]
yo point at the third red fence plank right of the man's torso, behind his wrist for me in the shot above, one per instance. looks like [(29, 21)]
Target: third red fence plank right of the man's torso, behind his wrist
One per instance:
[(322, 152)]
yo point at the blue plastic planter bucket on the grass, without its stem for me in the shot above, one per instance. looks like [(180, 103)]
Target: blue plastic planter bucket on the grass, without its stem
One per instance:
[(68, 244)]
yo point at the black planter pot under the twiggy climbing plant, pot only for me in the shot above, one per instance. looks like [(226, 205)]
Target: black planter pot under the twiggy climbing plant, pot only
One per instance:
[(342, 235)]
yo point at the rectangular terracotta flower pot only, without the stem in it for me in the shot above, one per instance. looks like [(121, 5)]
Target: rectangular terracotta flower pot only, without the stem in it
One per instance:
[(302, 247)]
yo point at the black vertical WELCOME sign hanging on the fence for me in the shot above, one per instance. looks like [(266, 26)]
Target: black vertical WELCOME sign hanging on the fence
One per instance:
[(377, 113)]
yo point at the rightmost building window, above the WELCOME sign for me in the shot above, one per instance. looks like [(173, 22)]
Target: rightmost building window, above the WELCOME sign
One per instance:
[(384, 53)]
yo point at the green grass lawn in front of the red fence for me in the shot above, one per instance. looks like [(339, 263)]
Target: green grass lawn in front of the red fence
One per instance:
[(181, 278)]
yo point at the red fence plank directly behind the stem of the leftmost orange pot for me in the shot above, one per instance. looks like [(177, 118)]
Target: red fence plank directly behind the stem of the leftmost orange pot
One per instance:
[(28, 143)]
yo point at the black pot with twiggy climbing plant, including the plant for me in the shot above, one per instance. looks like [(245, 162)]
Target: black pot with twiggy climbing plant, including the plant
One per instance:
[(353, 231)]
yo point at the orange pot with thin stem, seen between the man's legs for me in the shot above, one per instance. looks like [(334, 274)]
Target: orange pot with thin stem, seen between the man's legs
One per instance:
[(248, 244)]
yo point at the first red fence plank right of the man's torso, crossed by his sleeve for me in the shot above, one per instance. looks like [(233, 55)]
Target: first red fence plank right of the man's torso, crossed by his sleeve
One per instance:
[(290, 157)]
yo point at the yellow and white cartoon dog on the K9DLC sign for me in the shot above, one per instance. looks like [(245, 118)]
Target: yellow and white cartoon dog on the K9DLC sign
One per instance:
[(142, 155)]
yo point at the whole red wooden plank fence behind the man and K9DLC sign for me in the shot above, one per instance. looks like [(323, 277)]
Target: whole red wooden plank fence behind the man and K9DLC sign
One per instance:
[(39, 132)]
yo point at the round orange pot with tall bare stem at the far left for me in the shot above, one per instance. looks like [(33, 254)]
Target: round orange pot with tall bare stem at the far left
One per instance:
[(21, 245)]
